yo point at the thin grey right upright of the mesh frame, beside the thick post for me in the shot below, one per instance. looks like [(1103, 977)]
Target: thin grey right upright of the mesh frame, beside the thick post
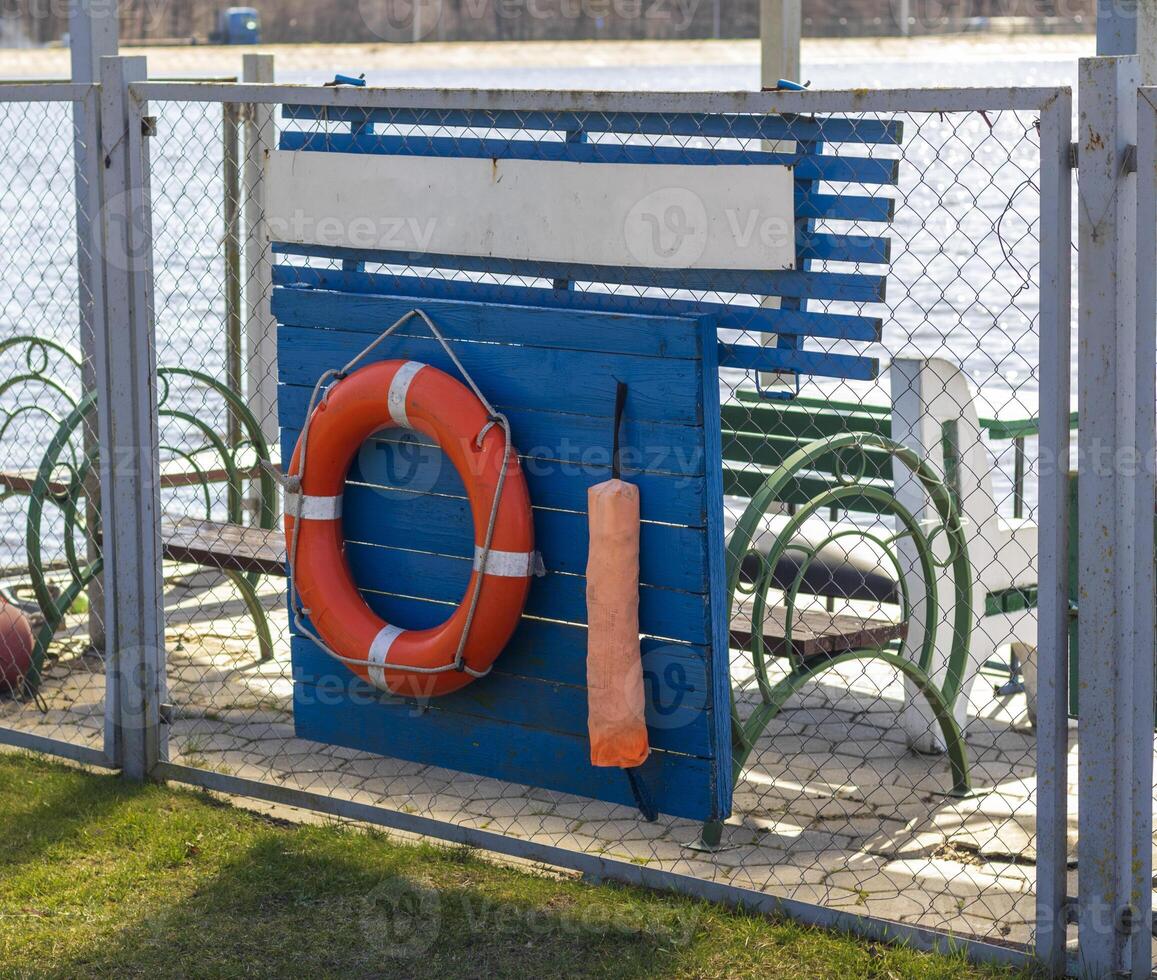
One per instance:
[(1053, 534)]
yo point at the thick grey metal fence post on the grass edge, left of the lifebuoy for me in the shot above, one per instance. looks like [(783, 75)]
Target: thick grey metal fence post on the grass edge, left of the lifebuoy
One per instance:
[(126, 362)]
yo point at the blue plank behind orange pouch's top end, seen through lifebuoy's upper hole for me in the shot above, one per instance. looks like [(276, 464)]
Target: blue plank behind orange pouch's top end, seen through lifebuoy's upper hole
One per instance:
[(403, 462)]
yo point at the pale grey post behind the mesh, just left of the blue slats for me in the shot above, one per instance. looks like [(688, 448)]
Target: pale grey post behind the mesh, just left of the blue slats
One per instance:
[(261, 330)]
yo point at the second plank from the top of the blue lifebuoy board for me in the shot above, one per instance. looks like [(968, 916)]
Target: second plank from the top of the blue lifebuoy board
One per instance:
[(528, 378)]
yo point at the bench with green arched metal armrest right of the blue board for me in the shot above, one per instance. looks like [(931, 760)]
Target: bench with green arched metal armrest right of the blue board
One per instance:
[(802, 463)]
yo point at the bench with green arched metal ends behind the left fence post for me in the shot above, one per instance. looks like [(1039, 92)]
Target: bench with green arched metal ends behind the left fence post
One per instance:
[(198, 459)]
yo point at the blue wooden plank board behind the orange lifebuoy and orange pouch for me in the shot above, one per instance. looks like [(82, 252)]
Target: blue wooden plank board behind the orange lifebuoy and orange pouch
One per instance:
[(556, 372)]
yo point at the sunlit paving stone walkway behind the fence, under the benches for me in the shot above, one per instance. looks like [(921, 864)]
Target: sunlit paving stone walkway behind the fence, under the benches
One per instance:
[(834, 808)]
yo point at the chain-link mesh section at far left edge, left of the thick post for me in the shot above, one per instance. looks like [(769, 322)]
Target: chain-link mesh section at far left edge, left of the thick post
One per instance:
[(47, 525)]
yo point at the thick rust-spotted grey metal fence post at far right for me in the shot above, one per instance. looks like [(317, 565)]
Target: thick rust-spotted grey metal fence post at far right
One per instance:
[(1116, 535)]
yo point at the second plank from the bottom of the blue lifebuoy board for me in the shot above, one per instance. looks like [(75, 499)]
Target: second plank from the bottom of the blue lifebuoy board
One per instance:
[(675, 725)]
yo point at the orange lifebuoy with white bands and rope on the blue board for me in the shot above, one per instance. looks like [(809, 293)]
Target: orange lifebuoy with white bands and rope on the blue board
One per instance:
[(410, 662)]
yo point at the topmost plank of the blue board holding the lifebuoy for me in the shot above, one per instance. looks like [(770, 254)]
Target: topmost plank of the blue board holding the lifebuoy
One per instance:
[(657, 337)]
